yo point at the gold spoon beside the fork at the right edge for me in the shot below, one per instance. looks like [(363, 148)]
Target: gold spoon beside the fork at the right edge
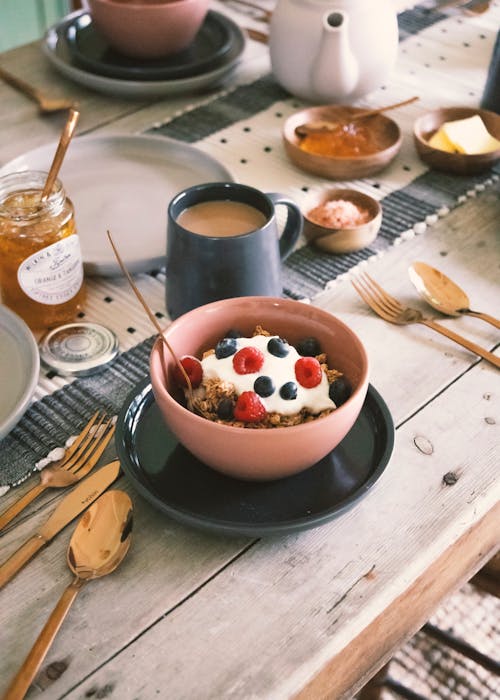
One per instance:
[(442, 294)]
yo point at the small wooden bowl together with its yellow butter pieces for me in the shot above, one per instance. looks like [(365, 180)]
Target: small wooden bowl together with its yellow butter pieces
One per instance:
[(471, 130)]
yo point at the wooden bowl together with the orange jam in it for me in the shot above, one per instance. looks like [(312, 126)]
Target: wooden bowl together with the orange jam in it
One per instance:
[(329, 141)]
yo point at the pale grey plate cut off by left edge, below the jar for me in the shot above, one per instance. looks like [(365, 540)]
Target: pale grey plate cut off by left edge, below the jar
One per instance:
[(19, 368)]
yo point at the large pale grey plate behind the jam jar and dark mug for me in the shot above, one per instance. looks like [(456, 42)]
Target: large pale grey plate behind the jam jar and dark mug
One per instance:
[(124, 184)]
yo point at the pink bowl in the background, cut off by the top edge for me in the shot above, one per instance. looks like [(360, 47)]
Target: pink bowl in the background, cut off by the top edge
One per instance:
[(148, 28)]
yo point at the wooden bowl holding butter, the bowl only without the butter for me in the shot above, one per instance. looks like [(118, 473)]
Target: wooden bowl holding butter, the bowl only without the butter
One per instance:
[(456, 163)]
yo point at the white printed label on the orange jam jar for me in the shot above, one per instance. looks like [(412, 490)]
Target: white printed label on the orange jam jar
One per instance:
[(53, 275)]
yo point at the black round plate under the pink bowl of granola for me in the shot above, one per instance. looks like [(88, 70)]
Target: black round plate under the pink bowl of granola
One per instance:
[(181, 486)]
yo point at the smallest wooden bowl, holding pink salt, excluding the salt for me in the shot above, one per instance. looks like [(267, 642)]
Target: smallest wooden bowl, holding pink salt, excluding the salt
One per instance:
[(348, 239)]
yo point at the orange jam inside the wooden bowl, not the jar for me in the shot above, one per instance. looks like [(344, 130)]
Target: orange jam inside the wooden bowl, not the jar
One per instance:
[(343, 140)]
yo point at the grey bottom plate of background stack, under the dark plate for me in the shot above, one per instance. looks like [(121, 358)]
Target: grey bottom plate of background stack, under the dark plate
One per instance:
[(55, 47)]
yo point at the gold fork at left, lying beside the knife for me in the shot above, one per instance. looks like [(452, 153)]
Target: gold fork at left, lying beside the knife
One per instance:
[(57, 477)]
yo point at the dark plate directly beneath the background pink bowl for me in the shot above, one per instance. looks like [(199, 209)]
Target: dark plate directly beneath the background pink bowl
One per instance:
[(211, 47)]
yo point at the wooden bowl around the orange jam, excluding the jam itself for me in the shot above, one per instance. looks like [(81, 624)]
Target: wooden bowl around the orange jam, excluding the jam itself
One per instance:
[(384, 131)]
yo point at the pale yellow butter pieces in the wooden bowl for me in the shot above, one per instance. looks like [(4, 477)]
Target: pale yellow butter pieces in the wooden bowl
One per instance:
[(468, 136)]
